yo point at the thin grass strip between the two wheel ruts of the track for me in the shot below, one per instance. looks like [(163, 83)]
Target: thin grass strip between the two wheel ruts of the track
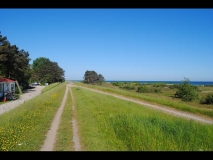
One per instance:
[(64, 138)]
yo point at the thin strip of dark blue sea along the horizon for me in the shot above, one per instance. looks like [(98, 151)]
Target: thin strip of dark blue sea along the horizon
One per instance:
[(195, 83)]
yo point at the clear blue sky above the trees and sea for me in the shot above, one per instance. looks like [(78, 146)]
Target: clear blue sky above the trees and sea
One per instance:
[(121, 44)]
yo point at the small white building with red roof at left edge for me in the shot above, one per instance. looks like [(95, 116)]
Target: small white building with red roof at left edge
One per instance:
[(6, 85)]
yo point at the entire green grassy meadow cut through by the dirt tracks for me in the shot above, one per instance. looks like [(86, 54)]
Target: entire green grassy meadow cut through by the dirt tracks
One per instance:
[(105, 123)]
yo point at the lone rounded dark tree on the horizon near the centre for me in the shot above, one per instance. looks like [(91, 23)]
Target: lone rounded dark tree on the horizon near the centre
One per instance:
[(91, 77)]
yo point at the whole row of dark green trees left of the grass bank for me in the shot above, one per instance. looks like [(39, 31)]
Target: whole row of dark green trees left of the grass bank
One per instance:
[(14, 64)]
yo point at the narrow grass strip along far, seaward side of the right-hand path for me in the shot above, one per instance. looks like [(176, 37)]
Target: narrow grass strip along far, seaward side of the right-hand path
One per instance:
[(153, 99)]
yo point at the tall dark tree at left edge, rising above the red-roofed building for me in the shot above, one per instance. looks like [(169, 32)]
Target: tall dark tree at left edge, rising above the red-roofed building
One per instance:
[(14, 63)]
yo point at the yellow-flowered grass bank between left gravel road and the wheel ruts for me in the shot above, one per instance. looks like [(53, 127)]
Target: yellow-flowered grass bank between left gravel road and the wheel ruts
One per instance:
[(24, 128)]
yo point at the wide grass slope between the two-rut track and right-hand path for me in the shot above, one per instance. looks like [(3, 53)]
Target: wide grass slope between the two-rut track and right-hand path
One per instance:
[(110, 124)]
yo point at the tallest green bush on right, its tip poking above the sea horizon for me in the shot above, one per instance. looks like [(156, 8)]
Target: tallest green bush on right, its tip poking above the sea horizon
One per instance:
[(186, 91)]
